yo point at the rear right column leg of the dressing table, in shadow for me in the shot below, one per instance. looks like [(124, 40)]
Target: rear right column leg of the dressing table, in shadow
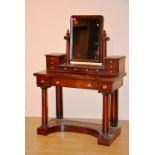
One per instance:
[(114, 109)]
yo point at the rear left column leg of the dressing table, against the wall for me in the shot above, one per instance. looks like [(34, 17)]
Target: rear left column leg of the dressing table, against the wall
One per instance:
[(59, 103)]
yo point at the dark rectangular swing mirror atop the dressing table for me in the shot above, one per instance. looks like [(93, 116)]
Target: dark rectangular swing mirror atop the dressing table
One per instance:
[(85, 38)]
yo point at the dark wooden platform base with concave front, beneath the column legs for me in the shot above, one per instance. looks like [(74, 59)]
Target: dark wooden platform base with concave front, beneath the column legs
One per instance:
[(62, 125)]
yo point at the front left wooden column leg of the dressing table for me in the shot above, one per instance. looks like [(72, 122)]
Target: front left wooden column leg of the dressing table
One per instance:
[(44, 108)]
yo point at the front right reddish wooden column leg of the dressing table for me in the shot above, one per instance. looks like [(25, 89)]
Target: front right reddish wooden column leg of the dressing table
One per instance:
[(105, 117)]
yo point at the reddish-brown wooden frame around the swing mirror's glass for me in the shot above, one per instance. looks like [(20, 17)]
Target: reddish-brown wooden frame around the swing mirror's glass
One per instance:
[(98, 17)]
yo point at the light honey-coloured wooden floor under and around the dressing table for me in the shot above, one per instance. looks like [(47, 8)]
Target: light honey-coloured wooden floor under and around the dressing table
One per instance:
[(68, 143)]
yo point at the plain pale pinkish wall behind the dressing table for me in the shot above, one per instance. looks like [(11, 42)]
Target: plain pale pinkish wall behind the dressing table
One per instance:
[(46, 24)]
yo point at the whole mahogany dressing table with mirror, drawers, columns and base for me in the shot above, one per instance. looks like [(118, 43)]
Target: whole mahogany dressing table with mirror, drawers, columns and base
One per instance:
[(86, 66)]
